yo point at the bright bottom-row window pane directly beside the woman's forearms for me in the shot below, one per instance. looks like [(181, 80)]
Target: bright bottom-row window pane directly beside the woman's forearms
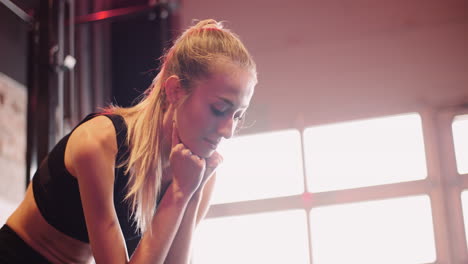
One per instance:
[(273, 238)]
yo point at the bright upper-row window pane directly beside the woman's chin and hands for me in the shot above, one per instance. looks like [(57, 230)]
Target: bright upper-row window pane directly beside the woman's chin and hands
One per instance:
[(260, 166)]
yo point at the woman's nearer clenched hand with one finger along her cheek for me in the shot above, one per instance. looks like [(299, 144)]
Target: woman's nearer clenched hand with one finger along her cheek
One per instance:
[(187, 169)]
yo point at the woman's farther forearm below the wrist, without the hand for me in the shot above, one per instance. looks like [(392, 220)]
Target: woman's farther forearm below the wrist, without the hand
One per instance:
[(180, 250)]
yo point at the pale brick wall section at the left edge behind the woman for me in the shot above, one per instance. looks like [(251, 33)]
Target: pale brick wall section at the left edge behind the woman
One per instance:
[(13, 102)]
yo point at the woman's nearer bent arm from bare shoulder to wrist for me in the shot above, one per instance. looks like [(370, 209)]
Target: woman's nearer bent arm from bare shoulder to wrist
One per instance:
[(92, 153)]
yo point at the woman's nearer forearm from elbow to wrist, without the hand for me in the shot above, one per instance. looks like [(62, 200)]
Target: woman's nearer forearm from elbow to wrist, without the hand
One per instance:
[(155, 245)]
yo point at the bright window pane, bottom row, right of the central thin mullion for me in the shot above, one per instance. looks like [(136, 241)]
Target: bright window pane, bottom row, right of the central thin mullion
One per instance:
[(387, 231)]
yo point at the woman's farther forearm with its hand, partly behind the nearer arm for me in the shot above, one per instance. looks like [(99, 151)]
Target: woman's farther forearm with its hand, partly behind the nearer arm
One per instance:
[(197, 208)]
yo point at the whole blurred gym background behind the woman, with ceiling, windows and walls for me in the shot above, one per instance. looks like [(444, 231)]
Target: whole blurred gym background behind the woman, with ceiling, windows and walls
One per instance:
[(355, 147)]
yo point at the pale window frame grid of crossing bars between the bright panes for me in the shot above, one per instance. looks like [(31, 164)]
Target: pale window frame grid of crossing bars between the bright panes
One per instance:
[(443, 185)]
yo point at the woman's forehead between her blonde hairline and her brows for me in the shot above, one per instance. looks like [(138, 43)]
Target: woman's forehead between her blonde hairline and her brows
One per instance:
[(228, 81)]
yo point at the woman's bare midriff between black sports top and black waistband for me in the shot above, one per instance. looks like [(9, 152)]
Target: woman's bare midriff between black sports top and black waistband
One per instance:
[(54, 245)]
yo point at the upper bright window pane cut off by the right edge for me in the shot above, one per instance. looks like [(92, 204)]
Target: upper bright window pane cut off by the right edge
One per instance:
[(460, 140)]
